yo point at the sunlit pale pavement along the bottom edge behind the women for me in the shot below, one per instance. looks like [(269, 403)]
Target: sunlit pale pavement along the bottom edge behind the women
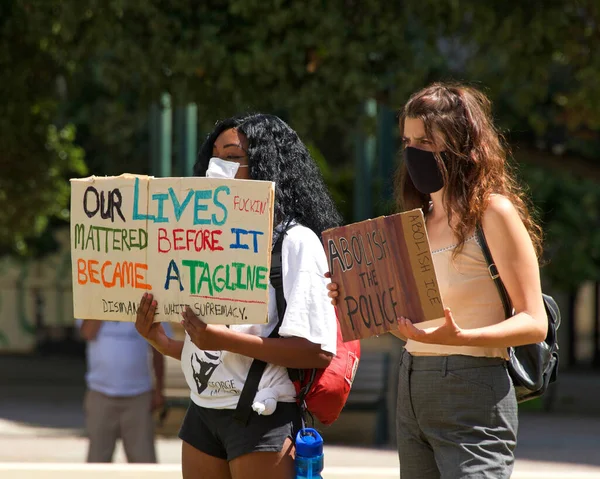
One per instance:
[(53, 457)]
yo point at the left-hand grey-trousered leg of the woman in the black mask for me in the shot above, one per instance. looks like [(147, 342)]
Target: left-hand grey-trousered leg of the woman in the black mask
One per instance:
[(415, 454)]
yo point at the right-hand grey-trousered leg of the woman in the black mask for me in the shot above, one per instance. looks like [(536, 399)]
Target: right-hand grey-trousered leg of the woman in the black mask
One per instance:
[(471, 420)]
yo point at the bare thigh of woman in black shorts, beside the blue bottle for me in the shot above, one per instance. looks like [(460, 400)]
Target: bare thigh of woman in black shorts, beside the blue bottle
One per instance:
[(258, 465)]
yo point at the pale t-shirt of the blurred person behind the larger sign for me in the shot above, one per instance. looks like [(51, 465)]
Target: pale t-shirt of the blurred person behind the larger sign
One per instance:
[(119, 360)]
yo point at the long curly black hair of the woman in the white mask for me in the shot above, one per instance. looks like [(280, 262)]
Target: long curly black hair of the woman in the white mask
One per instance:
[(276, 153)]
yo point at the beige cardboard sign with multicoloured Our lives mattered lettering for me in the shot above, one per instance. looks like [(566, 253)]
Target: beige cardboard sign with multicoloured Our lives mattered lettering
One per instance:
[(202, 242)]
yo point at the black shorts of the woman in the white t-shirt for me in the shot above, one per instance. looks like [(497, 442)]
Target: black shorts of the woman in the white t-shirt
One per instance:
[(216, 433)]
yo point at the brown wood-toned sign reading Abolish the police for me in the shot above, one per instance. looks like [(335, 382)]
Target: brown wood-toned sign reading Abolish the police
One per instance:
[(384, 270)]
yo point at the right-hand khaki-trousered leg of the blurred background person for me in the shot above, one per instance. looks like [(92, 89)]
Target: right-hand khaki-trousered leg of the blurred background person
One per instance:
[(137, 428)]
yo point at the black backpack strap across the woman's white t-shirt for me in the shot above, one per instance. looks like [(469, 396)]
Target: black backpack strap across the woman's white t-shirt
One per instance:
[(257, 368)]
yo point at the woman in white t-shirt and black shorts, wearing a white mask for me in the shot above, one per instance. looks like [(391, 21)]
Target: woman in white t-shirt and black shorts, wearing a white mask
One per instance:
[(216, 359)]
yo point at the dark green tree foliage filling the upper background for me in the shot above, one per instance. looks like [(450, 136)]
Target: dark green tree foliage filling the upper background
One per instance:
[(99, 64)]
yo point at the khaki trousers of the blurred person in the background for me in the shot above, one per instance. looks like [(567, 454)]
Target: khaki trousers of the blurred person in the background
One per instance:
[(129, 418)]
